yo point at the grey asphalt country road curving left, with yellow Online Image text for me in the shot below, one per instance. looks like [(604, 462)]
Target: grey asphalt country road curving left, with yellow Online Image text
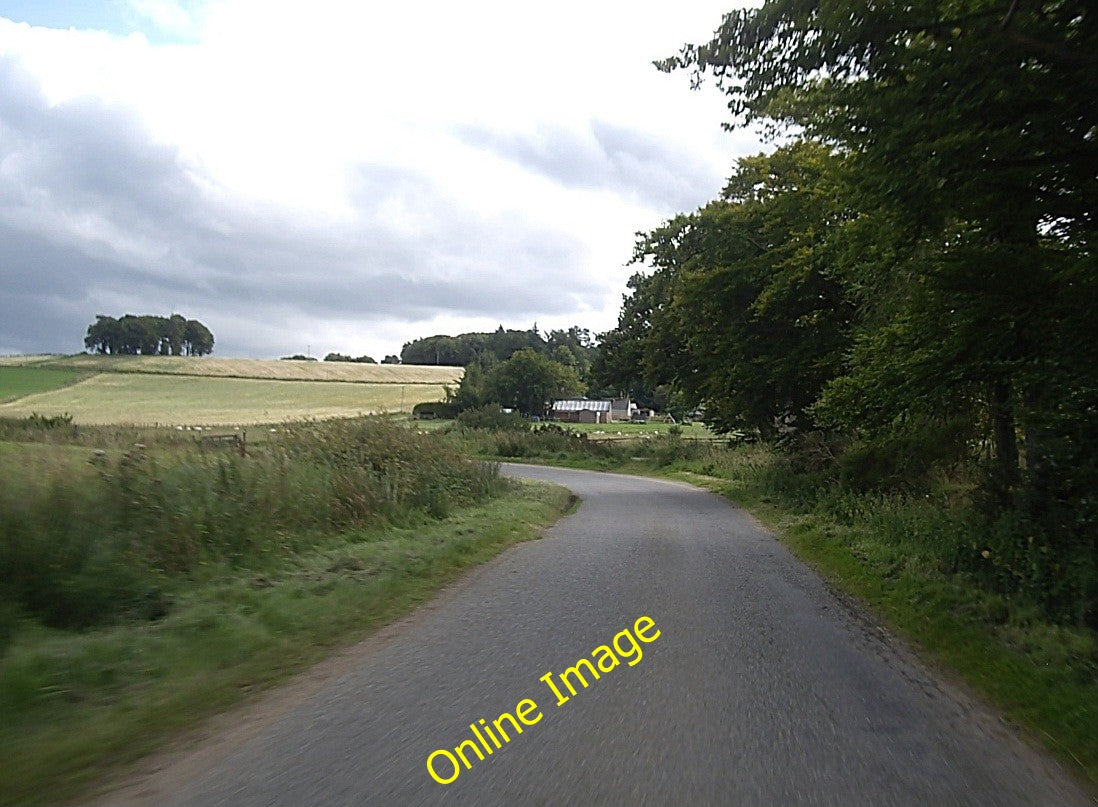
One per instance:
[(760, 689)]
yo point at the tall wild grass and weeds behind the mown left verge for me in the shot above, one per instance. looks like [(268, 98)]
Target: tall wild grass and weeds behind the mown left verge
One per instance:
[(95, 537)]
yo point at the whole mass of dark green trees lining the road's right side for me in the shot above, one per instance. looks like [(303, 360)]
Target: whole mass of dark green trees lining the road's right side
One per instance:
[(914, 277)]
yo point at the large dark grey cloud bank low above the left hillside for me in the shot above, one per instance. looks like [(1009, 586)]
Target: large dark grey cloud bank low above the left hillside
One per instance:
[(239, 271)]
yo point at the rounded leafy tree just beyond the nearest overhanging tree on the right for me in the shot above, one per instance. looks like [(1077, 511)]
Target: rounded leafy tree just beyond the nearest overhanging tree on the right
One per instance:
[(742, 312)]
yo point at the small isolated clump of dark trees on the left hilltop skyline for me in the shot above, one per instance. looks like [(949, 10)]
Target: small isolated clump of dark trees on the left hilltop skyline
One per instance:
[(149, 335)]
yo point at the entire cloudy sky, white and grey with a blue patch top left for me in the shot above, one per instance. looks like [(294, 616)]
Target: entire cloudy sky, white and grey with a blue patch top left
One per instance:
[(337, 175)]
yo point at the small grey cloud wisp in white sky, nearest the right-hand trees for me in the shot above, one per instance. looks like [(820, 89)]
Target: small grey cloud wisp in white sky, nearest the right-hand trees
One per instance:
[(611, 158)]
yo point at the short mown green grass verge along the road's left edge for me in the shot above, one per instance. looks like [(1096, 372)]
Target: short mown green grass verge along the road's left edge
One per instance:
[(80, 708)]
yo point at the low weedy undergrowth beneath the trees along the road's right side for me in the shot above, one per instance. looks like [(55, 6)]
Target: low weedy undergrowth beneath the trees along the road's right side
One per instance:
[(1041, 558)]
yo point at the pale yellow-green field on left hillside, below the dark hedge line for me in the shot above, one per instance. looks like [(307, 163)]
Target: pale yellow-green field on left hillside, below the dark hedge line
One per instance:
[(127, 398)]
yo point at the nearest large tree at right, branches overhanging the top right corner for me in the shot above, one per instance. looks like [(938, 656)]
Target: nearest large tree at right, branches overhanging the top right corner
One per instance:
[(971, 126)]
